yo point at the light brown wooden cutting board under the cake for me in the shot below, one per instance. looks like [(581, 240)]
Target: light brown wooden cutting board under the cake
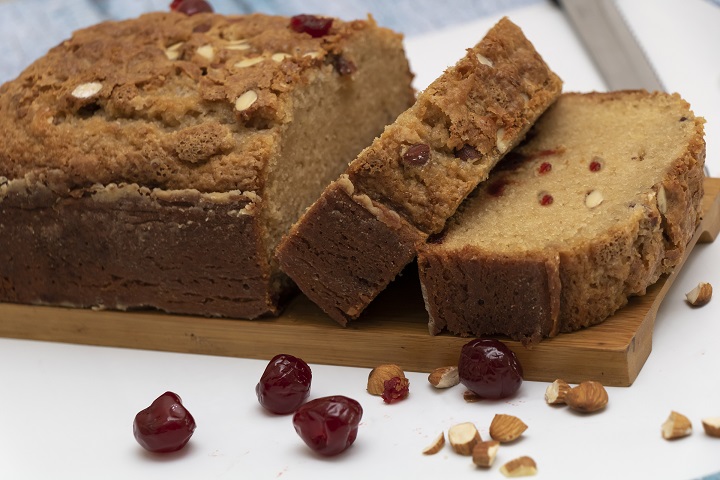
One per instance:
[(392, 330)]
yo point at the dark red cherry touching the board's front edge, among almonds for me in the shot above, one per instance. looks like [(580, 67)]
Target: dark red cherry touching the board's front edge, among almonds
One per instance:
[(490, 369)]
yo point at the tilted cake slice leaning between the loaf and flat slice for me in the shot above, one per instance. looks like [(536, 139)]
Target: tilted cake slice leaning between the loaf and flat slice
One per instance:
[(365, 227)]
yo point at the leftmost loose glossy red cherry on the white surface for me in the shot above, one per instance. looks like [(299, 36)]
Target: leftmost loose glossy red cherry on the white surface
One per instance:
[(164, 426)]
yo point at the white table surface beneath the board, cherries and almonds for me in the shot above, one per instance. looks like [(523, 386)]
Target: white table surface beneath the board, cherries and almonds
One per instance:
[(66, 411)]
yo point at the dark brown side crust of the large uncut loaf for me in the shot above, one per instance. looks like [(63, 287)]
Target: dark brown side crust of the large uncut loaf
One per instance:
[(179, 251)]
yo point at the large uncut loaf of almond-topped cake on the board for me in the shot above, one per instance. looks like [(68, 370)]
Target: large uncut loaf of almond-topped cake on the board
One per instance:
[(156, 162)]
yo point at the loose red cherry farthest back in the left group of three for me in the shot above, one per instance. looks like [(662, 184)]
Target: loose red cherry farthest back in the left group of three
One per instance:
[(284, 385)]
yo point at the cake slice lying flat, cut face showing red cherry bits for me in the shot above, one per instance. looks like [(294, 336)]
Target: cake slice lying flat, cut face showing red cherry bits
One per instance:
[(598, 203)]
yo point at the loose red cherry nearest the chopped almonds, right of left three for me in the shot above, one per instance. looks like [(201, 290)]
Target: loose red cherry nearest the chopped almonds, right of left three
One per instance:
[(328, 425)]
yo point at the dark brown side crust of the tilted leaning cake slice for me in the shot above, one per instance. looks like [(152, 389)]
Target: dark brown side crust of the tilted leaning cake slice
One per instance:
[(341, 255)]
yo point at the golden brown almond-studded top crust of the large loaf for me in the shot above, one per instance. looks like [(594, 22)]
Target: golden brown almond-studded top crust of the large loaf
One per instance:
[(164, 113)]
